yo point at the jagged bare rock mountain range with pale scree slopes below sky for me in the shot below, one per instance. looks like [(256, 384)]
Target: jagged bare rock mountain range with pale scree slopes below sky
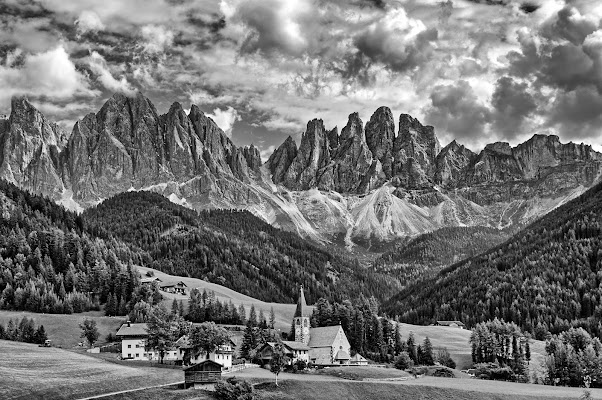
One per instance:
[(366, 184)]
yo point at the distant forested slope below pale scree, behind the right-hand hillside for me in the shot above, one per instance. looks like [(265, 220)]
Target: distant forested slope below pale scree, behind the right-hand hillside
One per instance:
[(424, 256)]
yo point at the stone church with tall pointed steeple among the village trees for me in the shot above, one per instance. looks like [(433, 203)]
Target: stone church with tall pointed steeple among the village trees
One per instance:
[(327, 345)]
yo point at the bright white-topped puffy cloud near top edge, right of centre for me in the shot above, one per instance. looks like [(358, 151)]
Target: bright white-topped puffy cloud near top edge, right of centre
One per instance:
[(397, 41)]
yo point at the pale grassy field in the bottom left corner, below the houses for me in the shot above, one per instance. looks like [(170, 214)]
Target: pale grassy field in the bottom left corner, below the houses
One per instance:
[(30, 372)]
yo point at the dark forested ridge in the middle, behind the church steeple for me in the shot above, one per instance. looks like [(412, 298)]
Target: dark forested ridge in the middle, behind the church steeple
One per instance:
[(231, 248)]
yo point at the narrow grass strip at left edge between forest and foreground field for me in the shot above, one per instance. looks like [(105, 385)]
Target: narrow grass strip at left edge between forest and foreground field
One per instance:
[(64, 329)]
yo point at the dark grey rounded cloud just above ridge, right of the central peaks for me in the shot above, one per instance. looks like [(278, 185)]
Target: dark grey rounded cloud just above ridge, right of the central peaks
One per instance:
[(455, 110)]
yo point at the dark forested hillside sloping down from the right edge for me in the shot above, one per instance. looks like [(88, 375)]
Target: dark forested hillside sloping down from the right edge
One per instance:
[(546, 278)]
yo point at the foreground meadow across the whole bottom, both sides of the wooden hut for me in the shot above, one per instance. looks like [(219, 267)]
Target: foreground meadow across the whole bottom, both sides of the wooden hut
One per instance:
[(30, 372)]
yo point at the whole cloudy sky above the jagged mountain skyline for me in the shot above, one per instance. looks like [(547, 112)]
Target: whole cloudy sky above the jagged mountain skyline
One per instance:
[(479, 71)]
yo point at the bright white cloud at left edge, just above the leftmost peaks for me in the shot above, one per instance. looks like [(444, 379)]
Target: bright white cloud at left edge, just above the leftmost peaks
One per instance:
[(51, 74)]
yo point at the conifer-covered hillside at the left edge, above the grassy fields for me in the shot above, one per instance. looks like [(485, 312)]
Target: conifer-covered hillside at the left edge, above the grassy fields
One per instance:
[(48, 264)]
